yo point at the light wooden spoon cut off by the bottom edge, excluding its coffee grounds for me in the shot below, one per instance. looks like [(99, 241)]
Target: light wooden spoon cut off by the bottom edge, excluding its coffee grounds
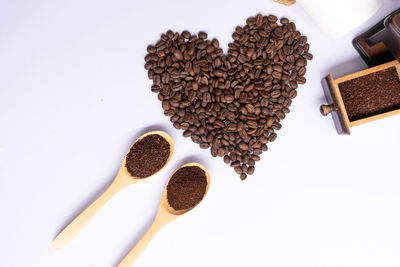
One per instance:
[(165, 215)]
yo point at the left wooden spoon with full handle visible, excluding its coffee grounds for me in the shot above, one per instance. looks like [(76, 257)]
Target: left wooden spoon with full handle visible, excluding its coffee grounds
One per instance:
[(122, 180)]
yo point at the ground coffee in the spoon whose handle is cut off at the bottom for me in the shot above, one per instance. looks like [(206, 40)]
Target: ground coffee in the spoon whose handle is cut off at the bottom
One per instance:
[(186, 187)]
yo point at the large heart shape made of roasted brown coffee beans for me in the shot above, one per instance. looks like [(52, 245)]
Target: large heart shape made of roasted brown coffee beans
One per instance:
[(231, 103)]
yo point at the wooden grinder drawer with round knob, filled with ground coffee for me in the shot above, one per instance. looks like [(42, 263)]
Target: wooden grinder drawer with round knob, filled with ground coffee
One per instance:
[(363, 96)]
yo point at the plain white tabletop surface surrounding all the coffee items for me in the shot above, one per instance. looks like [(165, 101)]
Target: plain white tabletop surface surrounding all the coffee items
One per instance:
[(74, 95)]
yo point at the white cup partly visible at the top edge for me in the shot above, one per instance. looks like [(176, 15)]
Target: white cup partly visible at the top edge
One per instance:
[(339, 17)]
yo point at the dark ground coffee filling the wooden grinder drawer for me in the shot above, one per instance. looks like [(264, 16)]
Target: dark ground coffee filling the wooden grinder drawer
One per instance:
[(371, 94)]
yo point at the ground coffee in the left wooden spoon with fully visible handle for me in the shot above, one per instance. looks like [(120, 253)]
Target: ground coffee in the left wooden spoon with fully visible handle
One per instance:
[(147, 156)]
